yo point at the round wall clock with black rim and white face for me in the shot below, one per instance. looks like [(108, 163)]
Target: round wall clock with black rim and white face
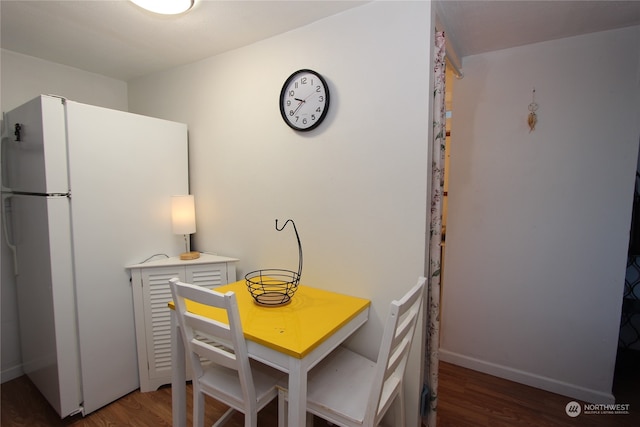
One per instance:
[(304, 100)]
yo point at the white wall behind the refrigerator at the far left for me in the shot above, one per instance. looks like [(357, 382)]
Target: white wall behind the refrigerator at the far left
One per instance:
[(23, 78)]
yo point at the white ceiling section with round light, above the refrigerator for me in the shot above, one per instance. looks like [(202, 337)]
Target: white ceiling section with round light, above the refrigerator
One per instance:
[(118, 39)]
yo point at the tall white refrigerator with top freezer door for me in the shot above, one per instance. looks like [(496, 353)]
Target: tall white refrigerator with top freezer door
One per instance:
[(85, 192)]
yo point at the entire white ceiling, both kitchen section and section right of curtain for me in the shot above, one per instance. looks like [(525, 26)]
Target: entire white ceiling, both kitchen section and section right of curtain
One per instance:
[(117, 39)]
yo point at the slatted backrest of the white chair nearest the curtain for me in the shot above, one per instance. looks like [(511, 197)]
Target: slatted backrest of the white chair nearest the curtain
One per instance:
[(394, 350)]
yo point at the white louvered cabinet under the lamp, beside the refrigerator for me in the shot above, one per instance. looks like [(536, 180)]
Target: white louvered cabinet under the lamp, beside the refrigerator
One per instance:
[(151, 294)]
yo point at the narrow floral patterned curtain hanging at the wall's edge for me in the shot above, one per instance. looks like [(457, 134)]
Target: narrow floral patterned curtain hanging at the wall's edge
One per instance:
[(435, 232)]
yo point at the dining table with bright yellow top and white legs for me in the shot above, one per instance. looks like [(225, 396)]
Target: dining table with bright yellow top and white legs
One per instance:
[(292, 338)]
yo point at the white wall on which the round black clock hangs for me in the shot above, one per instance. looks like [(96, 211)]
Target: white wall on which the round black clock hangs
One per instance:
[(356, 186)]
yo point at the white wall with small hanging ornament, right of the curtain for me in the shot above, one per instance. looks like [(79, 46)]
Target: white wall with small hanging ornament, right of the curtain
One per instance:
[(538, 221)]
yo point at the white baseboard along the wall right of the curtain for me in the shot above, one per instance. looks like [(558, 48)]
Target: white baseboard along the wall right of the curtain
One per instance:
[(528, 378)]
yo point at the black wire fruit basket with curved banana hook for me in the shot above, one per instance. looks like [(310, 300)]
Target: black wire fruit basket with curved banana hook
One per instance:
[(273, 287)]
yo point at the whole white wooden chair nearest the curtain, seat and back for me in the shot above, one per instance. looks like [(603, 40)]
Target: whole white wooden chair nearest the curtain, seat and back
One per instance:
[(350, 390)]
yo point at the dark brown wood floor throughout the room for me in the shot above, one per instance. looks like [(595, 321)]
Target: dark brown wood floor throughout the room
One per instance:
[(467, 398)]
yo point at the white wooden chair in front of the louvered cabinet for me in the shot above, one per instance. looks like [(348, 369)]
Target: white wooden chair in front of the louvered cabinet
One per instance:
[(229, 377)]
